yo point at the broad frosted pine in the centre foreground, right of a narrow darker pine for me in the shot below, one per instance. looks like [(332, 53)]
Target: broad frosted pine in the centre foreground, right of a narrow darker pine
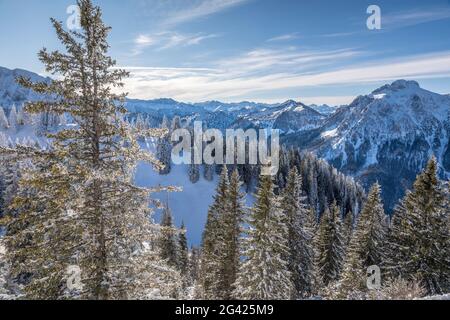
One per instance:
[(264, 272)]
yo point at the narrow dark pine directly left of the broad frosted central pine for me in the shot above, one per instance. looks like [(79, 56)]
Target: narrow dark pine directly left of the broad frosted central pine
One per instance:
[(231, 225)]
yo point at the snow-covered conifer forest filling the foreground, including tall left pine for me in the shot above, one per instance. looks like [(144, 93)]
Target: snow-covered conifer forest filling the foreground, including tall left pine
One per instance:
[(76, 224)]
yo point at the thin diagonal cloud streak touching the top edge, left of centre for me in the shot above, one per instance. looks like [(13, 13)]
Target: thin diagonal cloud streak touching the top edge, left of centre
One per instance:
[(202, 8)]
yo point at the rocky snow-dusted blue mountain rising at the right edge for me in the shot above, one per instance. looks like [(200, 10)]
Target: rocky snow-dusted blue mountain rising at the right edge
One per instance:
[(387, 136)]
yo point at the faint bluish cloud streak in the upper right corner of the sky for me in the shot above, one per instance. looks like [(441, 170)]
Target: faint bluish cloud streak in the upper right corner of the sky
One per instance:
[(415, 17)]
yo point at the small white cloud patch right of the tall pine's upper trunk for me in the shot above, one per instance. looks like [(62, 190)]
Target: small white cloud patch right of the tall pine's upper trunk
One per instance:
[(167, 39)]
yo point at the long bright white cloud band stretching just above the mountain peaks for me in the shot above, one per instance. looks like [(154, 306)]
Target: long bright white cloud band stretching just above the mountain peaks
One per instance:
[(229, 83)]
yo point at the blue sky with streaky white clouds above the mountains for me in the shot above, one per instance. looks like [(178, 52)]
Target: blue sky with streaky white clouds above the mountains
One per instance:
[(261, 50)]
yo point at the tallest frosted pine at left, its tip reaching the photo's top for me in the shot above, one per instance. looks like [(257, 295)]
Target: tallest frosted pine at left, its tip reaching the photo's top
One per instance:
[(79, 210)]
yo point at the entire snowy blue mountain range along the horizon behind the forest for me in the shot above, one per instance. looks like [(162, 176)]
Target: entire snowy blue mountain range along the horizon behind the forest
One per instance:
[(385, 136)]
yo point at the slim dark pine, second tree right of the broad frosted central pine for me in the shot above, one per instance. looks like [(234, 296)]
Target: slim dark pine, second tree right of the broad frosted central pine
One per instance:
[(330, 246)]
